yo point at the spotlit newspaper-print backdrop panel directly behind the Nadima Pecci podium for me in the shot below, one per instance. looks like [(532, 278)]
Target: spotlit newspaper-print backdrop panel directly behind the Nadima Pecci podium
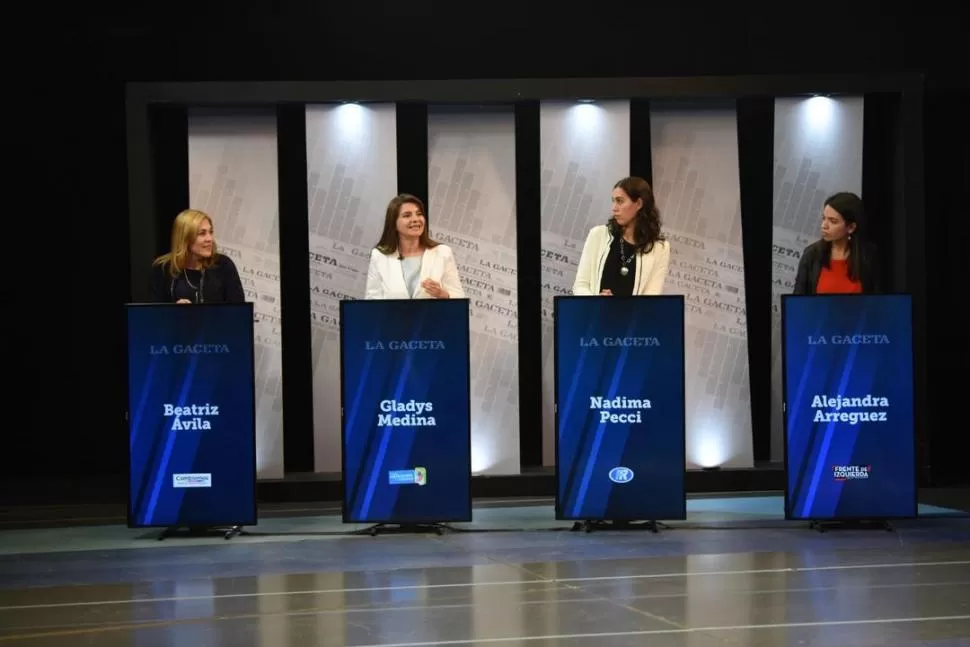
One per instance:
[(585, 150)]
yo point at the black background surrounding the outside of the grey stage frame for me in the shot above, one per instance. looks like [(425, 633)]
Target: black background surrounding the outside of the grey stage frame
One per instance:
[(67, 221)]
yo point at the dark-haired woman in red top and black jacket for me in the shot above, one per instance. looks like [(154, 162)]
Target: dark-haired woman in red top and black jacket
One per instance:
[(839, 263)]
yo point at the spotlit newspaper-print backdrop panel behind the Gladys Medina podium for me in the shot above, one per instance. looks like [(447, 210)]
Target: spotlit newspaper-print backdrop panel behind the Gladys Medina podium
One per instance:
[(351, 176)]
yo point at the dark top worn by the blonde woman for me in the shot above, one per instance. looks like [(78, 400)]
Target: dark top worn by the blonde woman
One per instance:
[(217, 284)]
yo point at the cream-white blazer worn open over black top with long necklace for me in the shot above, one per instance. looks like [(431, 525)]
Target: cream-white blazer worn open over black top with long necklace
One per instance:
[(649, 275)]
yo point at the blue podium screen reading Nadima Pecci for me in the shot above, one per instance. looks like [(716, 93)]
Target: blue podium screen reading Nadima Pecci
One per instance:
[(620, 408)]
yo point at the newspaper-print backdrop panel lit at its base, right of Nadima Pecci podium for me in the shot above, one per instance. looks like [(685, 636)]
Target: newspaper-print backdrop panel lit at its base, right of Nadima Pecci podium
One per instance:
[(697, 186)]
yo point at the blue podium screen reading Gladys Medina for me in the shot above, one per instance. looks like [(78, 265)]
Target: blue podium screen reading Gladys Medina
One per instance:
[(406, 416)]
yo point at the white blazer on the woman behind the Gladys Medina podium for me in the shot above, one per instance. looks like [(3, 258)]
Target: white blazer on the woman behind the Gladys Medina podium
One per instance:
[(385, 276)]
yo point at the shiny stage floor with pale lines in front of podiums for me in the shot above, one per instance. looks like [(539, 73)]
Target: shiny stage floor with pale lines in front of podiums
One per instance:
[(734, 573)]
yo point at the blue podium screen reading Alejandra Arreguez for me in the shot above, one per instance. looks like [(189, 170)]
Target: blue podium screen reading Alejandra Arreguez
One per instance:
[(850, 443)]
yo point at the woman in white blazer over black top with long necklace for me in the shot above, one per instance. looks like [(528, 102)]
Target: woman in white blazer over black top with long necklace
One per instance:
[(628, 255)]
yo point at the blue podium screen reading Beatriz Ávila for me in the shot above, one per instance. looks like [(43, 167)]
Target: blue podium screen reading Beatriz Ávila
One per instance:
[(192, 440)]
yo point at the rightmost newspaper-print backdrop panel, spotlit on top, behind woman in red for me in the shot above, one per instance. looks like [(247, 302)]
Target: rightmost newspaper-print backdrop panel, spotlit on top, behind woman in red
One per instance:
[(818, 152)]
